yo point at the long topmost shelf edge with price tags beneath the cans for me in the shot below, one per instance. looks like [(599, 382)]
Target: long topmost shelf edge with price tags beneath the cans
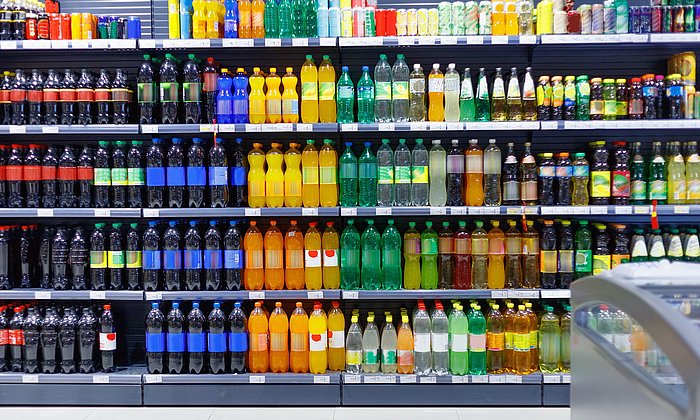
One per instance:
[(389, 41)]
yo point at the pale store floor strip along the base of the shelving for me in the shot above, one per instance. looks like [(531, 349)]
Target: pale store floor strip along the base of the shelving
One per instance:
[(206, 413)]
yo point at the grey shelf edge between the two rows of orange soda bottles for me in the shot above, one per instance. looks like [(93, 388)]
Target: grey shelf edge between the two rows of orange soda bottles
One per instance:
[(244, 295)]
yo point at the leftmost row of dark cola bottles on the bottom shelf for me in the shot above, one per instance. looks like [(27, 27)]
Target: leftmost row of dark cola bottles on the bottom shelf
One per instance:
[(57, 339)]
